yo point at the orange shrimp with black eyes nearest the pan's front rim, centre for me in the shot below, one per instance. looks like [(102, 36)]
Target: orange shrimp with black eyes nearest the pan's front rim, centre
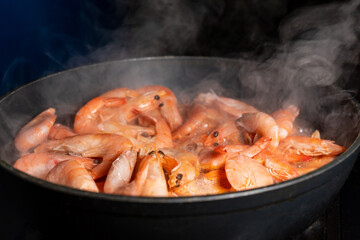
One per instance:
[(187, 168)]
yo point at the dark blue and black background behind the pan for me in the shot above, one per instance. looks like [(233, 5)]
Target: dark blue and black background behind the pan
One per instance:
[(40, 37)]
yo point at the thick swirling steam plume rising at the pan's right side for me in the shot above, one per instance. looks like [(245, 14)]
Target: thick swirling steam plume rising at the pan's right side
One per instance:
[(316, 44)]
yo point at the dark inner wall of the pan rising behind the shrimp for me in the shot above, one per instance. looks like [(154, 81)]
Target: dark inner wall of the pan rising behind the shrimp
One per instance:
[(327, 108)]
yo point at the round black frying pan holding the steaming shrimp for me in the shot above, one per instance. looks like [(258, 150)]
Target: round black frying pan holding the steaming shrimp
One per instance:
[(42, 210)]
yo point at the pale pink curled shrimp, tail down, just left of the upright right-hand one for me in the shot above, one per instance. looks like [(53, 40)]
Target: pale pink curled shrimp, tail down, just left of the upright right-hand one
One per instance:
[(261, 123)]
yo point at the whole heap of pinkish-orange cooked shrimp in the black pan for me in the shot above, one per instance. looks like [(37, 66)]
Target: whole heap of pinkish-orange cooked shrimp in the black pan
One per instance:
[(143, 143)]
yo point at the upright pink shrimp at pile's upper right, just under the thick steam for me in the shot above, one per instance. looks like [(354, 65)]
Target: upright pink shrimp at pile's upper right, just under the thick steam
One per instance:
[(285, 118)]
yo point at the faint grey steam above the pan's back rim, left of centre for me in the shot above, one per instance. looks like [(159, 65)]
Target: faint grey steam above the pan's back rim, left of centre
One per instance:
[(151, 28)]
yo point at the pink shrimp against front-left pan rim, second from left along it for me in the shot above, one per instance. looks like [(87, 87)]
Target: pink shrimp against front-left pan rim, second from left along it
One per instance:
[(73, 173)]
